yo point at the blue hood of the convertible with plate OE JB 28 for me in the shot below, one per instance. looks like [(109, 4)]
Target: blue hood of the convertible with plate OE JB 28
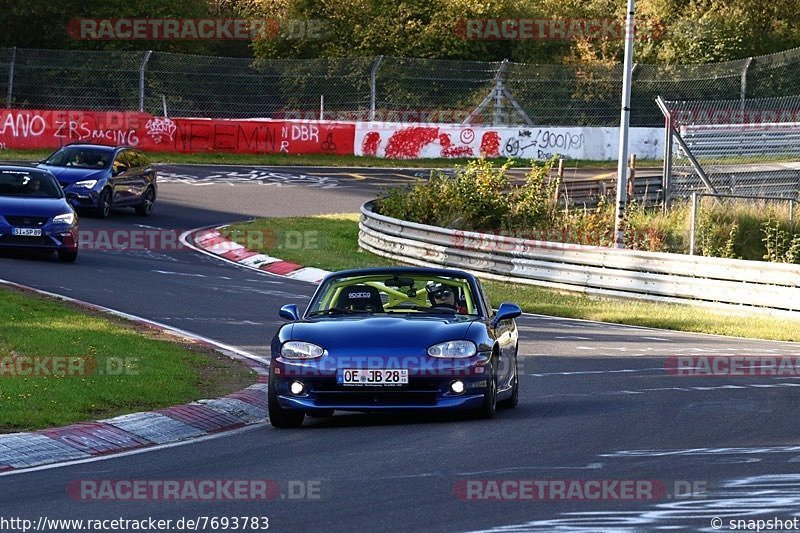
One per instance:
[(380, 335)]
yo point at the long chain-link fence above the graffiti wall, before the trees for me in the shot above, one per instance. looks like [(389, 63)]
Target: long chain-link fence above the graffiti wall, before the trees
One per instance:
[(385, 88)]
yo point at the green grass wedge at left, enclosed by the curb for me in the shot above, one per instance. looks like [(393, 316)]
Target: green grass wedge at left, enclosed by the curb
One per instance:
[(108, 366)]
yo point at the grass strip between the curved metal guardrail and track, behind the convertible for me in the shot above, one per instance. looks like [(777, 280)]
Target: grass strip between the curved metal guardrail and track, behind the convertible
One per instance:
[(331, 243)]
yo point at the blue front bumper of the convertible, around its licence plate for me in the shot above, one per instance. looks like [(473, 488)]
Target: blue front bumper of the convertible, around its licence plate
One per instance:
[(426, 390)]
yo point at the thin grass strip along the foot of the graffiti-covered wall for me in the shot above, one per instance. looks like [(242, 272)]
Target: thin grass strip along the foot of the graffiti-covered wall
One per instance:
[(321, 160)]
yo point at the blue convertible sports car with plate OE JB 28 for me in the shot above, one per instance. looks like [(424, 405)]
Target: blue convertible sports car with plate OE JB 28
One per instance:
[(391, 339)]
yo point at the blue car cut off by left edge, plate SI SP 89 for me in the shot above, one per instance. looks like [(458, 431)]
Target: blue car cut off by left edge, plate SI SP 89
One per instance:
[(35, 215)]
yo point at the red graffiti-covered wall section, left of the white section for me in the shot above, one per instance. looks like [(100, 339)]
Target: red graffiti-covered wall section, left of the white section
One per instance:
[(31, 129)]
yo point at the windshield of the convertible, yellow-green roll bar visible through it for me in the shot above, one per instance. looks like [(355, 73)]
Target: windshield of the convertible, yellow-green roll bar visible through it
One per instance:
[(395, 293)]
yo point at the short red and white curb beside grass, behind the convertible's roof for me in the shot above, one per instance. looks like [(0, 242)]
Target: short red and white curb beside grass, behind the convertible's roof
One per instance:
[(211, 242)]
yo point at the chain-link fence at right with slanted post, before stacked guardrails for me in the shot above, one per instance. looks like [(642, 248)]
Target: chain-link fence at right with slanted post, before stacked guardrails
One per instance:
[(745, 147)]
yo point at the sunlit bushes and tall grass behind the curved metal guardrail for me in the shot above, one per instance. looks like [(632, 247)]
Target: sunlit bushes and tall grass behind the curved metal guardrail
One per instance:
[(481, 198)]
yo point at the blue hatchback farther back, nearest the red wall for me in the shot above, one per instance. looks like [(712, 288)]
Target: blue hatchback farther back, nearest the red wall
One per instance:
[(99, 178)]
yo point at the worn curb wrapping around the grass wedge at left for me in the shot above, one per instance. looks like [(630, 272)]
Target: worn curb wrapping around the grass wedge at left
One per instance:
[(139, 430)]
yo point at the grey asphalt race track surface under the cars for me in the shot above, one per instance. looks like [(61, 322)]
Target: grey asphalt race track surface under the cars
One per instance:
[(596, 403)]
